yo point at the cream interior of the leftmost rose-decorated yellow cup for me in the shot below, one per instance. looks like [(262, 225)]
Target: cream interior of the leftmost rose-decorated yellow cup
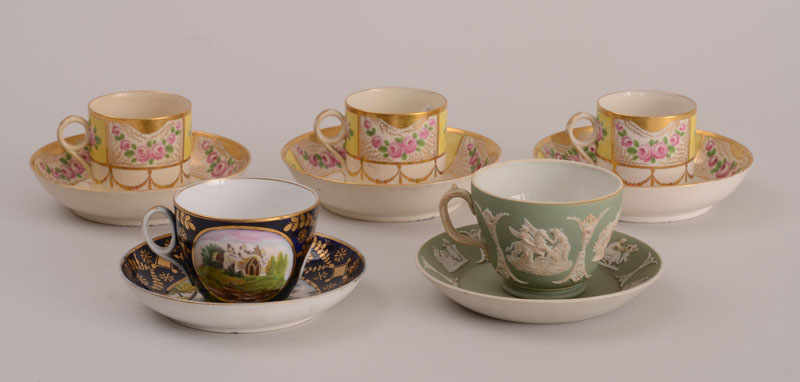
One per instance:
[(140, 105)]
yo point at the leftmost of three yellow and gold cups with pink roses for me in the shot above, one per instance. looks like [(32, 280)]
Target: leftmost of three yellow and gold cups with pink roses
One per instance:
[(135, 140)]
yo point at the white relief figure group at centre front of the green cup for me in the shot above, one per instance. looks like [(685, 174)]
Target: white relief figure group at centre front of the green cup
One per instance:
[(538, 251)]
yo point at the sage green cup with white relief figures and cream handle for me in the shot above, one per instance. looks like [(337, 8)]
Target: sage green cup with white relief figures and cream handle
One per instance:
[(544, 224)]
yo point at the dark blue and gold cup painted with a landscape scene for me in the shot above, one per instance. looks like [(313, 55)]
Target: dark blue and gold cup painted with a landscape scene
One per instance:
[(239, 239)]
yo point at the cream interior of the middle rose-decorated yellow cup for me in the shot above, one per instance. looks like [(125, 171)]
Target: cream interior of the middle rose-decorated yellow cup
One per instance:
[(395, 100)]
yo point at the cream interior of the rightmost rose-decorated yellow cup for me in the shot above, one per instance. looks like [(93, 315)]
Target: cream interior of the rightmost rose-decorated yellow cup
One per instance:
[(645, 103)]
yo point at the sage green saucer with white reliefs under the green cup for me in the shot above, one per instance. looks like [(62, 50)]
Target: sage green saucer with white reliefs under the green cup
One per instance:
[(629, 267)]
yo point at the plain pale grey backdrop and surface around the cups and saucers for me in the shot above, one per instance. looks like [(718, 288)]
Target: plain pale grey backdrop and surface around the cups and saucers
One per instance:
[(725, 309)]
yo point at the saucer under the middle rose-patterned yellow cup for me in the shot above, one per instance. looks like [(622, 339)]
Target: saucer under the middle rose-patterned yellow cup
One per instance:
[(310, 165)]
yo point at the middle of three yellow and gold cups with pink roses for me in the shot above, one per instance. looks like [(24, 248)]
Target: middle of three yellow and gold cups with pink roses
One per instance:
[(389, 135)]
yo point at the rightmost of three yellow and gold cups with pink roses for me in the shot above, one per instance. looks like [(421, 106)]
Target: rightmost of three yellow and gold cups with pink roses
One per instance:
[(648, 138)]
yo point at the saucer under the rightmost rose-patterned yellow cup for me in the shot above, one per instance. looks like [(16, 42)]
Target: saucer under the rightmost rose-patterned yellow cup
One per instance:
[(720, 167)]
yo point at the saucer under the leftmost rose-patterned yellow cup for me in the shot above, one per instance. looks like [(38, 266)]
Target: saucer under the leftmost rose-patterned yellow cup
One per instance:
[(65, 180)]
